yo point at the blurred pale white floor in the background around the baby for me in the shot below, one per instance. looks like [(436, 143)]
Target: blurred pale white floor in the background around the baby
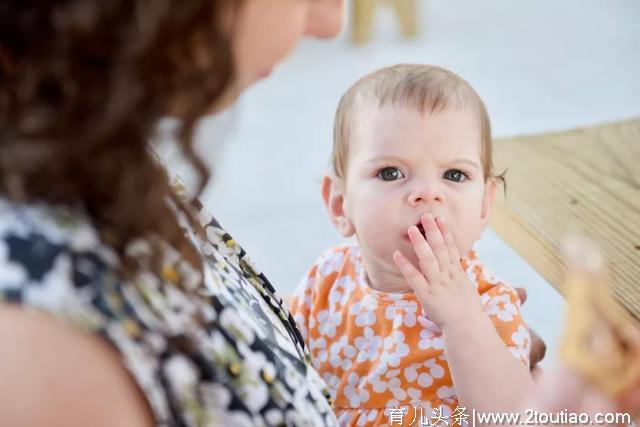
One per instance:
[(540, 65)]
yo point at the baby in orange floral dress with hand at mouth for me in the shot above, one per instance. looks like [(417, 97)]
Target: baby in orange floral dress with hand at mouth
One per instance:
[(406, 322)]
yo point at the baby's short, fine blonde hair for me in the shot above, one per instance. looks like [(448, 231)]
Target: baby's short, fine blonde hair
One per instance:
[(427, 88)]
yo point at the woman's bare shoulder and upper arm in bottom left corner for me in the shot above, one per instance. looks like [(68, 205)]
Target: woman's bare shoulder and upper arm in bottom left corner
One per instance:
[(47, 376)]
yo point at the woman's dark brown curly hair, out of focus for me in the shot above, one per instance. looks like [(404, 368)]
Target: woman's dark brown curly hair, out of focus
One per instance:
[(83, 84)]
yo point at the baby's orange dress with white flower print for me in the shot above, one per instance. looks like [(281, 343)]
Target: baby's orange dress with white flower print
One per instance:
[(378, 352)]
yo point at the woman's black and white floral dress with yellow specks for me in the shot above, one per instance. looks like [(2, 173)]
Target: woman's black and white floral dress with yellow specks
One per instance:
[(226, 354)]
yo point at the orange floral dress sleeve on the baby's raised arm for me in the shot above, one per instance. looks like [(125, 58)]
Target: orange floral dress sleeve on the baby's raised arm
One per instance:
[(502, 304)]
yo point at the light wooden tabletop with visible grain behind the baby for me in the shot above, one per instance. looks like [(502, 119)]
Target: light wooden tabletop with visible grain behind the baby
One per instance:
[(586, 182)]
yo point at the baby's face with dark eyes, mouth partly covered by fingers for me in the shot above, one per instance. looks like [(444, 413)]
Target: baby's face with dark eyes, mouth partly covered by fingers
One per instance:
[(403, 164)]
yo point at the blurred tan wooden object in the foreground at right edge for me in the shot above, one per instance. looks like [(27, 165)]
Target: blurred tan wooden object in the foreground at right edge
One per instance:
[(602, 340)]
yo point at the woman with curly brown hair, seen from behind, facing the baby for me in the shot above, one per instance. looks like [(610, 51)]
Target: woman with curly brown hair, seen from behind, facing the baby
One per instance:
[(124, 302)]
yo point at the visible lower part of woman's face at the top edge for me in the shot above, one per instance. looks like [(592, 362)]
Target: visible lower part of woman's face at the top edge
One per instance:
[(266, 31)]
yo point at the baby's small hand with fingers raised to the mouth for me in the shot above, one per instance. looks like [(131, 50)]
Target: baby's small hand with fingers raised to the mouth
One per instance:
[(442, 287)]
